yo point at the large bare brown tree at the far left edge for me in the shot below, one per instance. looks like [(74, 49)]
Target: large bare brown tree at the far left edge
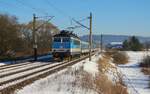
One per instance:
[(10, 37)]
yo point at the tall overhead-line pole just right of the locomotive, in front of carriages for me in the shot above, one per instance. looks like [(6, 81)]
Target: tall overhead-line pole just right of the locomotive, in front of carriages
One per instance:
[(90, 37)]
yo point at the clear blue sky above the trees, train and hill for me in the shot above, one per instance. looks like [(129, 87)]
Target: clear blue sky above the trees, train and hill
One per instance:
[(120, 17)]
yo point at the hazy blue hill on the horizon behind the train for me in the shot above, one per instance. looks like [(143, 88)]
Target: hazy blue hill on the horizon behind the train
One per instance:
[(112, 38)]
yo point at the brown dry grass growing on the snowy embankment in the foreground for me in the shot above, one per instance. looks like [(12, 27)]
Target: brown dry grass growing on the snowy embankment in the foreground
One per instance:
[(100, 83)]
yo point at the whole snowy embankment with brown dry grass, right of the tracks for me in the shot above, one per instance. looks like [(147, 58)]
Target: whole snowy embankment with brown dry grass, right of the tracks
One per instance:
[(85, 77)]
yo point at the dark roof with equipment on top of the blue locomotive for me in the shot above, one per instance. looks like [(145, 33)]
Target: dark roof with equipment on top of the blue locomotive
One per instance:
[(65, 33)]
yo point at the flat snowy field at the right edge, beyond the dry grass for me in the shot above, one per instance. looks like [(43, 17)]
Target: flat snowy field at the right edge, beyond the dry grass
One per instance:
[(137, 82)]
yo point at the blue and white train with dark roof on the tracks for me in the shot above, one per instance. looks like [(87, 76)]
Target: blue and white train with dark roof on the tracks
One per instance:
[(67, 44)]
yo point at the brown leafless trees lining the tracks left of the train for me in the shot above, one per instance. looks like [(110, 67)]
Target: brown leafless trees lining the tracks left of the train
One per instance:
[(16, 38)]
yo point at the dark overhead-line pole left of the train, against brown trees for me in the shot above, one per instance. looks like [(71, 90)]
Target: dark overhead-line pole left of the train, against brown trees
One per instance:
[(34, 37)]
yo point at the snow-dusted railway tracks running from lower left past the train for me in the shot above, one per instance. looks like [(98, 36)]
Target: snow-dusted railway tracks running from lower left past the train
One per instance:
[(16, 76)]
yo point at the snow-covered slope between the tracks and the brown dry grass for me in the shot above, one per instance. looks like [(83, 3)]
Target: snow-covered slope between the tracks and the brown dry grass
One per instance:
[(67, 81)]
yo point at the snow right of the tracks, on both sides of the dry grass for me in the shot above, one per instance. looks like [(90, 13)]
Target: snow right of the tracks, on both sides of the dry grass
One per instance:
[(69, 80)]
